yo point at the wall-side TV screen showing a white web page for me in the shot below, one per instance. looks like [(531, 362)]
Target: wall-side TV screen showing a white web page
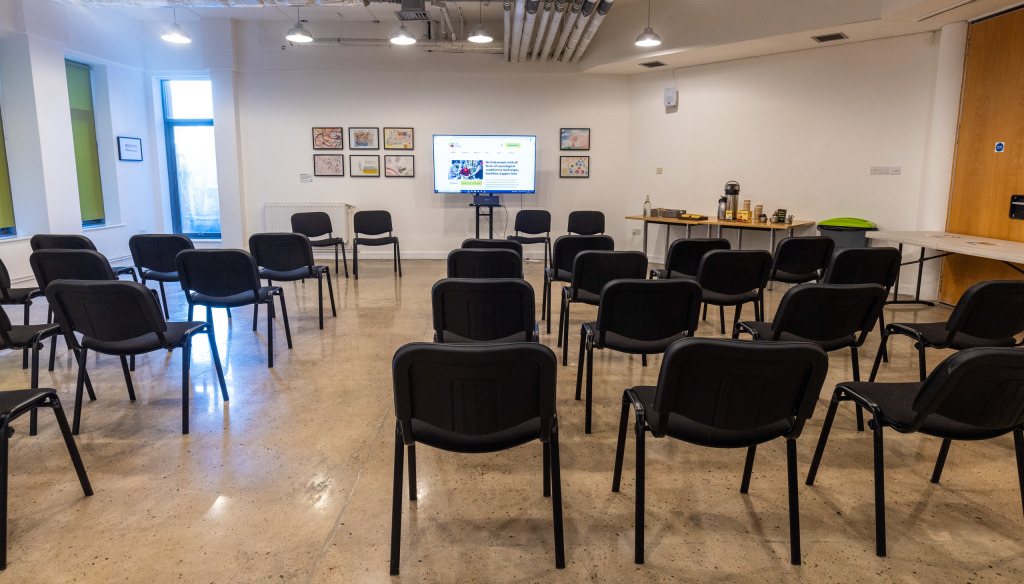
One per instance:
[(485, 164)]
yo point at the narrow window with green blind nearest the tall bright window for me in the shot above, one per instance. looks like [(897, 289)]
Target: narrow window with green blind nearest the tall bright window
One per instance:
[(83, 128)]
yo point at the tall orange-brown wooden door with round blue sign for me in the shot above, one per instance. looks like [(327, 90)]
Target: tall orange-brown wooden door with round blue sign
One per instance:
[(992, 111)]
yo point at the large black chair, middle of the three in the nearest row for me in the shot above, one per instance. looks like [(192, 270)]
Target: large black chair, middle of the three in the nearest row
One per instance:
[(727, 394)]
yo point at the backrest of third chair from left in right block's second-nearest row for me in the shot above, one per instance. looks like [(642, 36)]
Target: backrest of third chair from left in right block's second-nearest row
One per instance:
[(829, 312)]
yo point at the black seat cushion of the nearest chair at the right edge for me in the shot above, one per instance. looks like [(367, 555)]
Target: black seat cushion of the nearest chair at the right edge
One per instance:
[(895, 401)]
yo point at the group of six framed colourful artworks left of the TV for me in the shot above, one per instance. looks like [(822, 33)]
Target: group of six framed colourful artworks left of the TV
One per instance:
[(360, 165)]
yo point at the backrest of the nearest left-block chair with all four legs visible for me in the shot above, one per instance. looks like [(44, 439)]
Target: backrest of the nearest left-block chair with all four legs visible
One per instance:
[(112, 311)]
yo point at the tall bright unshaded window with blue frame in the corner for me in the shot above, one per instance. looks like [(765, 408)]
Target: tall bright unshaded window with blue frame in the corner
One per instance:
[(192, 160)]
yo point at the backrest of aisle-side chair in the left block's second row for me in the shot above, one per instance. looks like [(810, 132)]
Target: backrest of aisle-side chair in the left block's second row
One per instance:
[(218, 272)]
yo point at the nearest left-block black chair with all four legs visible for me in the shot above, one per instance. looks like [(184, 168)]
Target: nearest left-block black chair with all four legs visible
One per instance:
[(123, 318)]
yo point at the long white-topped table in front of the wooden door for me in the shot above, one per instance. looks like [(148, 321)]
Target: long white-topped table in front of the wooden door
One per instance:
[(949, 244)]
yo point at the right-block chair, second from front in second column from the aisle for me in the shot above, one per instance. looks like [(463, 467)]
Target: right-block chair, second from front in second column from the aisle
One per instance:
[(591, 271)]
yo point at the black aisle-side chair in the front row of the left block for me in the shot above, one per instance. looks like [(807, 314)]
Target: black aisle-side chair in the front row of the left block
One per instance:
[(289, 258)]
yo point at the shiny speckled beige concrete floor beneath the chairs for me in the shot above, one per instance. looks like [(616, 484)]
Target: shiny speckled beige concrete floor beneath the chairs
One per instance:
[(291, 480)]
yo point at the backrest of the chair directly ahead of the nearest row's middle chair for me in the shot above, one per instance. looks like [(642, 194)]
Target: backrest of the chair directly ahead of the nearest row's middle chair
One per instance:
[(649, 310)]
